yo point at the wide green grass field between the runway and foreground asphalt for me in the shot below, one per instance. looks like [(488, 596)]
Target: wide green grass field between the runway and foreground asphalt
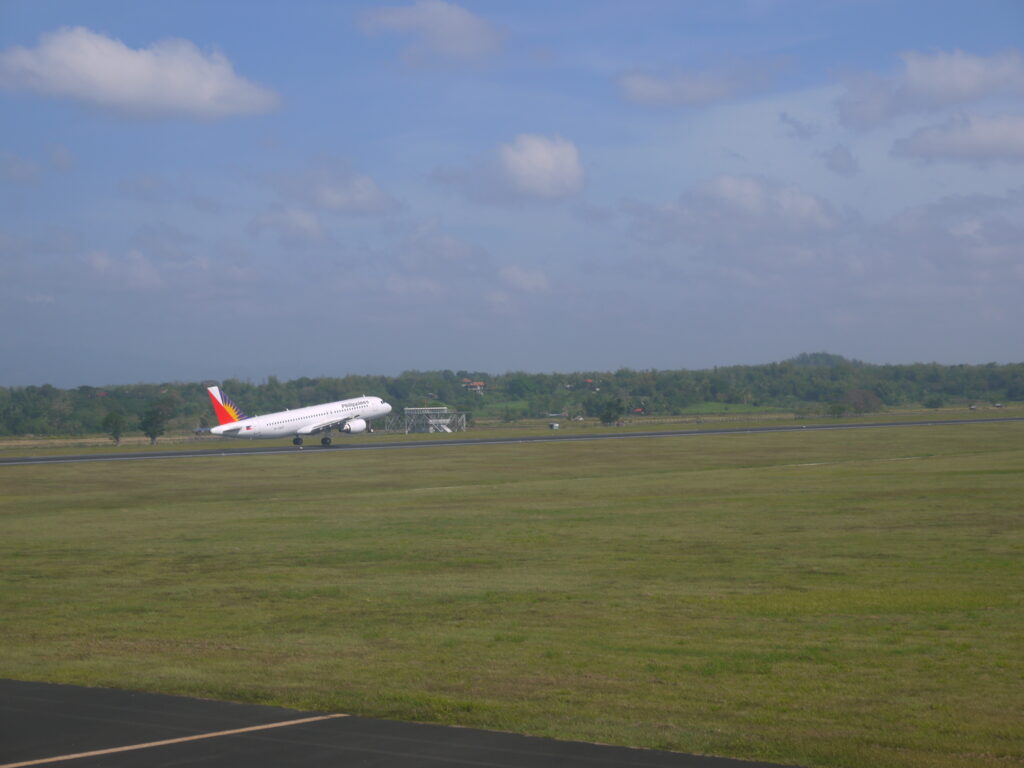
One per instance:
[(814, 599)]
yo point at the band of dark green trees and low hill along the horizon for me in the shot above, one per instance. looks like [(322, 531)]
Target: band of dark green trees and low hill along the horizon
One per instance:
[(821, 383)]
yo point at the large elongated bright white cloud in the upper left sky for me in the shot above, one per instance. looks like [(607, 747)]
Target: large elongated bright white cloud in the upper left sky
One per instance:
[(170, 78)]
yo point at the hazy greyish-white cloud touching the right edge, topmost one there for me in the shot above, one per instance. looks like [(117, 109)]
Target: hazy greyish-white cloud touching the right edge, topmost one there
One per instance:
[(930, 82)]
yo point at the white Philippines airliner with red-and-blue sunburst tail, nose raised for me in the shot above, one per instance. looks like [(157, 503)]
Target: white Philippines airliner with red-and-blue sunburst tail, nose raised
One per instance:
[(352, 416)]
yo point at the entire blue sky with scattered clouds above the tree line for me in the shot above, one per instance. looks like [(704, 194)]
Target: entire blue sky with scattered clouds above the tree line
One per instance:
[(198, 191)]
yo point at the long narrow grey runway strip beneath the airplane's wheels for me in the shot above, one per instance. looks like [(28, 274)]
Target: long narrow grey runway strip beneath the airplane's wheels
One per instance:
[(358, 444)]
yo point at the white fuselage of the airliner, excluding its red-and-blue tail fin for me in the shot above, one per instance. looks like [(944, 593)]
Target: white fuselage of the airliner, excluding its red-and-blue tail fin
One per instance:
[(307, 421)]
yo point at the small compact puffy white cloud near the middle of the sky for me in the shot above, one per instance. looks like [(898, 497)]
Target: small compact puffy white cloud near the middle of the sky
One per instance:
[(542, 167)]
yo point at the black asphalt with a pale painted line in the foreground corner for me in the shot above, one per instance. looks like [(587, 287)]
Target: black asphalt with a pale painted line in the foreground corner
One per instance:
[(56, 724)]
